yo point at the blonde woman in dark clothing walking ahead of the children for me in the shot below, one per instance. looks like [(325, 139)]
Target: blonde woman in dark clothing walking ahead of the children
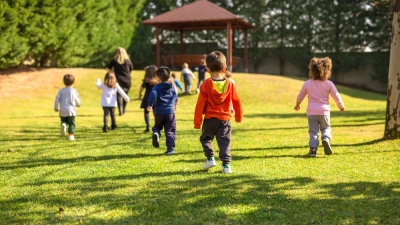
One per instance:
[(122, 66)]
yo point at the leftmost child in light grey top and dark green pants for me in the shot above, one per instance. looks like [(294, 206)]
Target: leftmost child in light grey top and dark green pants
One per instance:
[(68, 99)]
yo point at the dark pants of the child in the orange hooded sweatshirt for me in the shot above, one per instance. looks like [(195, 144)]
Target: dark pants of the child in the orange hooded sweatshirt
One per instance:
[(221, 130)]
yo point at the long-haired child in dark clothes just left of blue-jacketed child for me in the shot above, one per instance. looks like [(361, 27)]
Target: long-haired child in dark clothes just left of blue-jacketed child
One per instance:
[(150, 79)]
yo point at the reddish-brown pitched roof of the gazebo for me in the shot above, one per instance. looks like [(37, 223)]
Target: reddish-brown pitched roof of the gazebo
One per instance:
[(199, 15)]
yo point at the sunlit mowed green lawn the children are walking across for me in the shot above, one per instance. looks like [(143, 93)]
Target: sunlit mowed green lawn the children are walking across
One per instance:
[(119, 178)]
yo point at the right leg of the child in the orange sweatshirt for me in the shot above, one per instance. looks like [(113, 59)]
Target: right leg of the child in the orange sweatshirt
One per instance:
[(223, 136)]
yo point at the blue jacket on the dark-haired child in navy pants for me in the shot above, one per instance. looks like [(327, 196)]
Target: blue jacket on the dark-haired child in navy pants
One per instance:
[(163, 98)]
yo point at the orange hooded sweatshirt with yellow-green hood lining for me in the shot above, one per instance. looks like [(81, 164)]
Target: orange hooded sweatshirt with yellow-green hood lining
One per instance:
[(215, 105)]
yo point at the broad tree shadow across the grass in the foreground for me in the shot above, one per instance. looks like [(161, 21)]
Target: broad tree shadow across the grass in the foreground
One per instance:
[(191, 198)]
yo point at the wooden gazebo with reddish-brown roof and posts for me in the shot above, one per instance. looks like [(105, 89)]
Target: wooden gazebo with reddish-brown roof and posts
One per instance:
[(200, 15)]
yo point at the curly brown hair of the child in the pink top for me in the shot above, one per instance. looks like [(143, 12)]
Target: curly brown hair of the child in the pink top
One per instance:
[(320, 68)]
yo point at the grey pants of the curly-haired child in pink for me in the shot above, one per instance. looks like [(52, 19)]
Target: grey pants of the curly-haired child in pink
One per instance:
[(316, 123)]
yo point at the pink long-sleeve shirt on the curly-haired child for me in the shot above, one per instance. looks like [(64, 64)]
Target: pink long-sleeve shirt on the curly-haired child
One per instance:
[(318, 92)]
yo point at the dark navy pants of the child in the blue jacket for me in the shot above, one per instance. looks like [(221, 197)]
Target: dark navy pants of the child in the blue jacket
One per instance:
[(168, 122)]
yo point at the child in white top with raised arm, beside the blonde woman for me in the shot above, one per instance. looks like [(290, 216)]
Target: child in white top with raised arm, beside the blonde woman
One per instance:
[(108, 101)]
